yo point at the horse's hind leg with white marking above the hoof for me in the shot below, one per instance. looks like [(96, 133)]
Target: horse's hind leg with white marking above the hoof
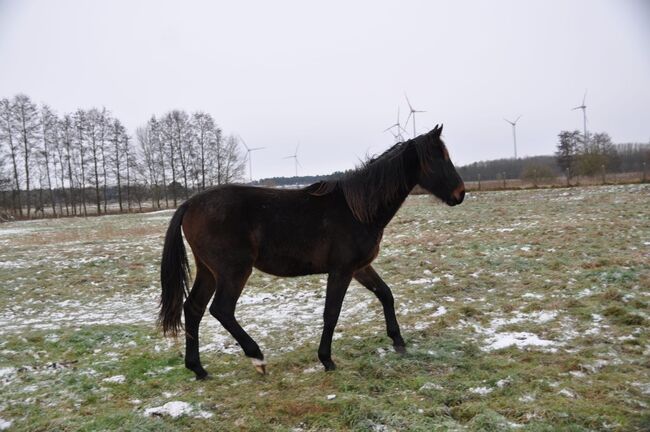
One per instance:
[(229, 287)]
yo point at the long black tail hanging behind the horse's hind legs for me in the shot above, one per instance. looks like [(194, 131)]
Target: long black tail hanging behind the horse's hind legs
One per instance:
[(174, 276)]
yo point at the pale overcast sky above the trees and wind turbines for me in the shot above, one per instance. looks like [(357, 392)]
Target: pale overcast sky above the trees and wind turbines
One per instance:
[(331, 75)]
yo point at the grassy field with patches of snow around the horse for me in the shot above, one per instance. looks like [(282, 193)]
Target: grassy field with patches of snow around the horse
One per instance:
[(522, 310)]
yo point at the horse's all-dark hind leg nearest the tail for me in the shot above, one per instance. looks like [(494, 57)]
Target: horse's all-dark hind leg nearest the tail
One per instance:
[(194, 307)]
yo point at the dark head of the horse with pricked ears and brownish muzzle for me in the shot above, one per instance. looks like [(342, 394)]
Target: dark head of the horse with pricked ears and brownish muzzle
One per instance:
[(436, 172)]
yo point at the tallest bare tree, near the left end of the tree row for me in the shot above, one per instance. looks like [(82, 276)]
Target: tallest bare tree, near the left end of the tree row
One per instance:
[(27, 124)]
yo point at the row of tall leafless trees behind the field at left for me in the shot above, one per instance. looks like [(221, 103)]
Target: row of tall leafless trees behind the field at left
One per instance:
[(87, 162)]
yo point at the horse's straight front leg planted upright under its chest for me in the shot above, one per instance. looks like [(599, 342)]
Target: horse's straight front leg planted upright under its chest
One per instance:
[(337, 285)]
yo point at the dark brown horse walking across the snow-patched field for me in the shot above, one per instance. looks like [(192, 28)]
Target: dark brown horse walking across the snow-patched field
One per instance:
[(332, 227)]
